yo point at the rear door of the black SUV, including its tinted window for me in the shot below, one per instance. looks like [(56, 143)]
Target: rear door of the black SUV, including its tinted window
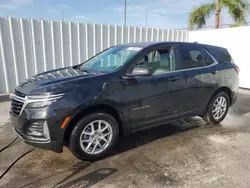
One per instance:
[(198, 71)]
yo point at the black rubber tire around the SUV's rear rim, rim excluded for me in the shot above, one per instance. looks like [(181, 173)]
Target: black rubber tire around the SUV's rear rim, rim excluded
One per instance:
[(210, 108)]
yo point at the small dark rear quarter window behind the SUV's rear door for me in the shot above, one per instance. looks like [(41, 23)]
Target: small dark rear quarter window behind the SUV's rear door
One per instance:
[(221, 55)]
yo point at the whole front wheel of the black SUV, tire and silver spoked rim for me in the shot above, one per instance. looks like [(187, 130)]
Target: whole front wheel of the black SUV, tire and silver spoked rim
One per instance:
[(83, 130)]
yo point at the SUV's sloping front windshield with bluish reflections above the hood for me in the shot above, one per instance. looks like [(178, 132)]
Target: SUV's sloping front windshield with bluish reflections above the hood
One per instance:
[(110, 59)]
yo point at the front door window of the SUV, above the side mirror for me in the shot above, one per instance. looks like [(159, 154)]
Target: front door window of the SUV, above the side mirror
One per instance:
[(160, 61)]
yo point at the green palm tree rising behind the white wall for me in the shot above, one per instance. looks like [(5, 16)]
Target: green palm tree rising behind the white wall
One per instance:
[(237, 9)]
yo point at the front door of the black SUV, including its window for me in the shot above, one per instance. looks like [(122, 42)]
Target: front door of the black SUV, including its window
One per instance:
[(153, 99)]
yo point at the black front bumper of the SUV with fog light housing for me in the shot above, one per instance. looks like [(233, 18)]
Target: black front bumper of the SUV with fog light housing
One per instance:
[(40, 127)]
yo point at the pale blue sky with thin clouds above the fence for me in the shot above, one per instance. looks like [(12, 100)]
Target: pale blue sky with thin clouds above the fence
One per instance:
[(170, 14)]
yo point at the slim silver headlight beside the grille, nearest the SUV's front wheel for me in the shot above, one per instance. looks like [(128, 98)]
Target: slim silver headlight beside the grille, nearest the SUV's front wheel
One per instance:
[(40, 101)]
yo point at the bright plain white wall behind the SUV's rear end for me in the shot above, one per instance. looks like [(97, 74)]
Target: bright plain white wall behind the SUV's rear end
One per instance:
[(236, 40)]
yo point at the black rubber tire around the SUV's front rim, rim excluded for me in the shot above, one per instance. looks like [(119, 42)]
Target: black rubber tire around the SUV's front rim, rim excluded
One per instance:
[(75, 136)]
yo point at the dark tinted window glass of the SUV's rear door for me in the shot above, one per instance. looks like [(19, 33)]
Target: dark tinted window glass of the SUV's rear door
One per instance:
[(193, 57)]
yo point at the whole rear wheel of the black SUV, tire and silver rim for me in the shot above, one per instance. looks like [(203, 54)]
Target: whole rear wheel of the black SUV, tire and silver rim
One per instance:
[(217, 108)]
